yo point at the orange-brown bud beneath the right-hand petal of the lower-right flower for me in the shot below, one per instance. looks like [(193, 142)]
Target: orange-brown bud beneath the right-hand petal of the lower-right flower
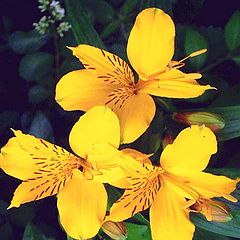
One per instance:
[(213, 210)]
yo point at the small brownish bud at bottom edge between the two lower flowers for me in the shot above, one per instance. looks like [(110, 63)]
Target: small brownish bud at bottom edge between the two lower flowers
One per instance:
[(115, 230)]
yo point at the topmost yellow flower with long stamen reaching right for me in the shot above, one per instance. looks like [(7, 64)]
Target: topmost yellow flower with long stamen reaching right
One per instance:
[(108, 80)]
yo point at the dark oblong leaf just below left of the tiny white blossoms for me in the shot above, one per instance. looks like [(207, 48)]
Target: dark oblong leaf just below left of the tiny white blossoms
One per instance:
[(26, 42)]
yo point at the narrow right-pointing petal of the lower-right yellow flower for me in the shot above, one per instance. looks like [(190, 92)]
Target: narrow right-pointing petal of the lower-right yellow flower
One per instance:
[(209, 185)]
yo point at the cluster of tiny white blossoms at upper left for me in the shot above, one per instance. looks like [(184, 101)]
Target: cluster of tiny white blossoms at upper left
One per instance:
[(56, 15)]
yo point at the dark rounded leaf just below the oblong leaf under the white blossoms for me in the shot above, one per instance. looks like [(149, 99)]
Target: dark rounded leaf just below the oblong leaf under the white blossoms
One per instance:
[(33, 67)]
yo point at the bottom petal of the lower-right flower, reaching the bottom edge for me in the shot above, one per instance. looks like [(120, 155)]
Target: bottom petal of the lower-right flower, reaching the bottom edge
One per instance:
[(168, 219)]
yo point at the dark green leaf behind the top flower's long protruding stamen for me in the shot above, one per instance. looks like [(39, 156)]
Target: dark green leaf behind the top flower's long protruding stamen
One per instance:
[(195, 41)]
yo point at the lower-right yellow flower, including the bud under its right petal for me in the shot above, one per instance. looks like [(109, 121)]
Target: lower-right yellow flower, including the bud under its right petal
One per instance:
[(176, 187)]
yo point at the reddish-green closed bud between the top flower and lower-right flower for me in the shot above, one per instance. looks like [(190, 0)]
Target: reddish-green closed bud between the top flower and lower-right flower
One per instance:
[(211, 120)]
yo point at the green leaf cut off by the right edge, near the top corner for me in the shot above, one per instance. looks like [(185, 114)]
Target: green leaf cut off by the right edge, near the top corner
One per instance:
[(232, 31)]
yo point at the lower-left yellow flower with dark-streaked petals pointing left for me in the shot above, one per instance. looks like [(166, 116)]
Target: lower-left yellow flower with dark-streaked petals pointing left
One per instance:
[(47, 169)]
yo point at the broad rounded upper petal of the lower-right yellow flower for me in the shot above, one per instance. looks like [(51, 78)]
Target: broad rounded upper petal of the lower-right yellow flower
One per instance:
[(190, 151)]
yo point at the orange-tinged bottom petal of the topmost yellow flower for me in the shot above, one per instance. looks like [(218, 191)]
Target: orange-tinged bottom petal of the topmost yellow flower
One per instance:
[(135, 116)]
